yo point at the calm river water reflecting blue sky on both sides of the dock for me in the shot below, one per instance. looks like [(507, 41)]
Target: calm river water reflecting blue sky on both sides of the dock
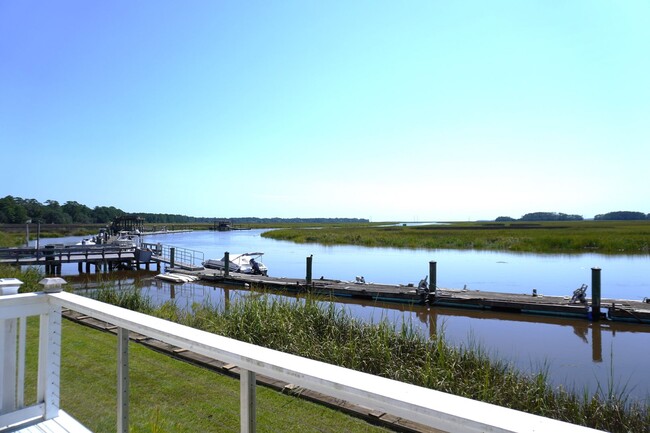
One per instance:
[(576, 353)]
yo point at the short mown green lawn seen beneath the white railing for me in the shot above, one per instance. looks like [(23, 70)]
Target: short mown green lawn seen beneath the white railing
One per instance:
[(168, 395)]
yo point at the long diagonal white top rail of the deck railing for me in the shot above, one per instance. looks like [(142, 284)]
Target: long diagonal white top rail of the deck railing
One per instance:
[(425, 406)]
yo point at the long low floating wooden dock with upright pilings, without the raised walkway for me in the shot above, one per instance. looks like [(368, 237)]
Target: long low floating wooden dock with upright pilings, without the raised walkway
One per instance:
[(612, 309)]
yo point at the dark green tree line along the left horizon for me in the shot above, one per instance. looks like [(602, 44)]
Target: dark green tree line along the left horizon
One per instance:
[(16, 210)]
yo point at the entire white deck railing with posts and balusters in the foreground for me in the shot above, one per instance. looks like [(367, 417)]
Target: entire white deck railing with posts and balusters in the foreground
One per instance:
[(425, 406)]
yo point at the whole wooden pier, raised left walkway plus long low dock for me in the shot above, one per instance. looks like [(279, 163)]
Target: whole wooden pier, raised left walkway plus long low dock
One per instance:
[(107, 257)]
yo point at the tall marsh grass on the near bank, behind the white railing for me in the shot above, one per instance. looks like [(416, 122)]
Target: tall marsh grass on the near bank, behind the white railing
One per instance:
[(323, 331)]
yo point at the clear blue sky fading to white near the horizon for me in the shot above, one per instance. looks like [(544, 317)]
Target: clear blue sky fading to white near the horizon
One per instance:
[(388, 110)]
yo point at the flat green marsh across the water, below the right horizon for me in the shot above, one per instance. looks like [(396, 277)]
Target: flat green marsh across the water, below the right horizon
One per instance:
[(608, 237)]
